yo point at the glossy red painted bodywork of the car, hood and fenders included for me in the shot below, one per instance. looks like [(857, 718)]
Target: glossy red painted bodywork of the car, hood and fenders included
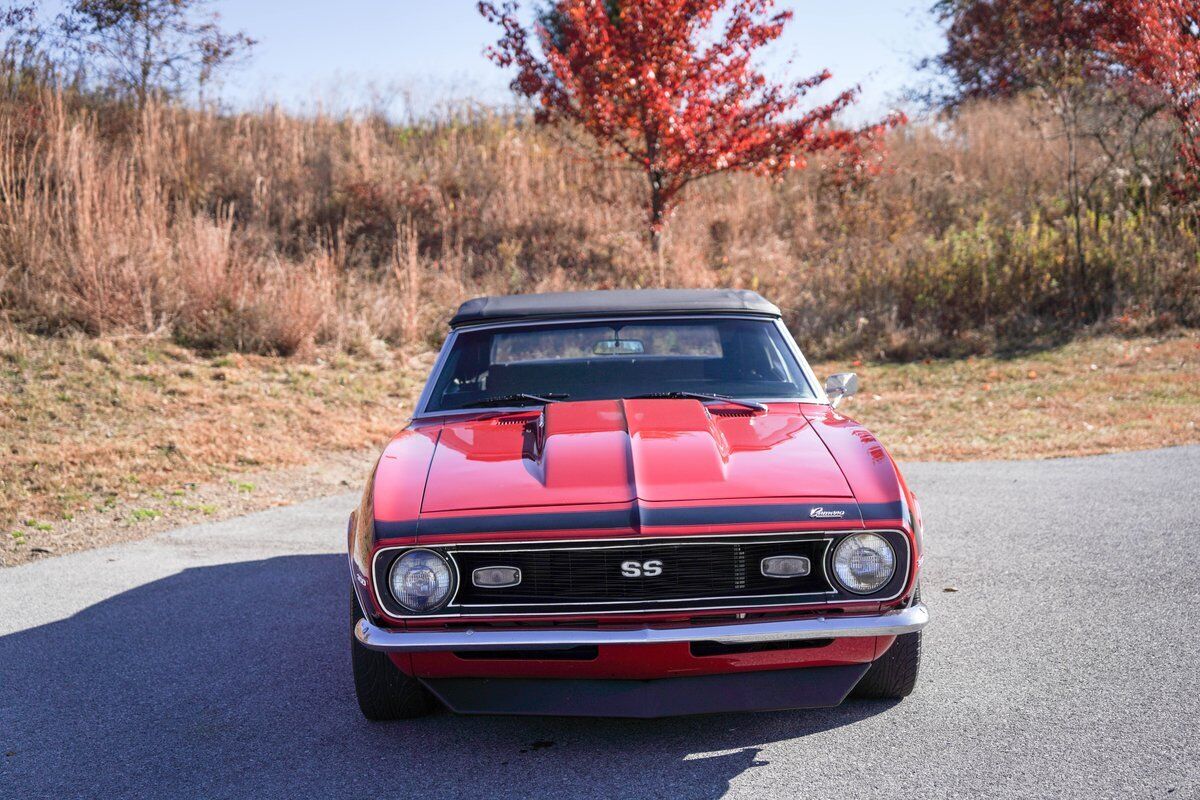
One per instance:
[(615, 455)]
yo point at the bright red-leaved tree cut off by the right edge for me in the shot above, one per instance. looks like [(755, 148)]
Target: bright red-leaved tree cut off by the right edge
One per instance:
[(1159, 44)]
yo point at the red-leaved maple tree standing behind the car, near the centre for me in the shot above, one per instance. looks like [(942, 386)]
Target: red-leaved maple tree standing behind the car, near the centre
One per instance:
[(665, 86)]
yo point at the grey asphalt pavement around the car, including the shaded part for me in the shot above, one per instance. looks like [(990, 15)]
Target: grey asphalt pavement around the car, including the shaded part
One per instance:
[(212, 663)]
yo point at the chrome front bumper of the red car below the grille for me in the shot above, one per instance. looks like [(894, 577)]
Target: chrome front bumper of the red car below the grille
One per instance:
[(904, 621)]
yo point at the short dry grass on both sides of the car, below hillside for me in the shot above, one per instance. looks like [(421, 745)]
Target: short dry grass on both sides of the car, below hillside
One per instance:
[(115, 438)]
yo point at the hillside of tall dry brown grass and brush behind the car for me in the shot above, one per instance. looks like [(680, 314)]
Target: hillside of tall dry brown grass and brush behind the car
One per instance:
[(267, 233)]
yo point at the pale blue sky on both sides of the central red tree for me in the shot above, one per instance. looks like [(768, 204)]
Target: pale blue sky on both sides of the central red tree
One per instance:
[(421, 56)]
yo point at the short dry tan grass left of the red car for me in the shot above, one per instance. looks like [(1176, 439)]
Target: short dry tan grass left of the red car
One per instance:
[(89, 425)]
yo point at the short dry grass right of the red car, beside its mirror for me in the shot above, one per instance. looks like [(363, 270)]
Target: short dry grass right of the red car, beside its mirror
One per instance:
[(1095, 396)]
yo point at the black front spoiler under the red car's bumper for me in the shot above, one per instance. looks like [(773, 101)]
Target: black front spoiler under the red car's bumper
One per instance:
[(812, 688)]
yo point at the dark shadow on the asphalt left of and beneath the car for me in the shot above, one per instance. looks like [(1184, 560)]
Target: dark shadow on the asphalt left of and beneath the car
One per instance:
[(233, 681)]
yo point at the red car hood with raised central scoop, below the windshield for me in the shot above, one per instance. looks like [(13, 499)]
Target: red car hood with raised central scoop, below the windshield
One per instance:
[(617, 452)]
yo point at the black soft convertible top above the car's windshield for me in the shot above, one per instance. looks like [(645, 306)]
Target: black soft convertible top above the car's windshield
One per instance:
[(615, 303)]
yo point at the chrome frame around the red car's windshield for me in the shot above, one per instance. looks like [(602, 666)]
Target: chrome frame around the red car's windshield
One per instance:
[(423, 402)]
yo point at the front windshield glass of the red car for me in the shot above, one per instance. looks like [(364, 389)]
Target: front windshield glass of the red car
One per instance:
[(608, 360)]
